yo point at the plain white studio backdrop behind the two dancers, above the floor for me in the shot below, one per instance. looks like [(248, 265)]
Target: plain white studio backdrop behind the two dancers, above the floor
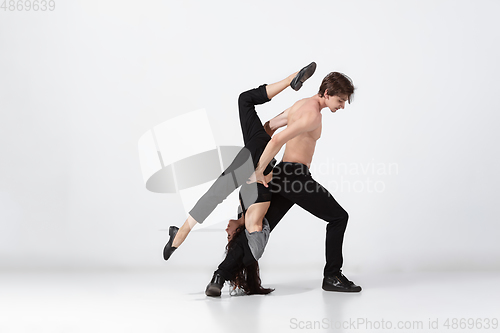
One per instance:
[(79, 85)]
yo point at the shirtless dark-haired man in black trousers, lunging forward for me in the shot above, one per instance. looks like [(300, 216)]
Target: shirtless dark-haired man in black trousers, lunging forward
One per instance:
[(292, 182)]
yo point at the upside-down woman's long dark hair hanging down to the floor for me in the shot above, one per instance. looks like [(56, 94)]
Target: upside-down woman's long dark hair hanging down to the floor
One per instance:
[(247, 278)]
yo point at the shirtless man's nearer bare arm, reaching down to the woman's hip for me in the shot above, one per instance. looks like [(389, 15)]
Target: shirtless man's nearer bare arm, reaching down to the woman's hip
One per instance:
[(309, 120)]
